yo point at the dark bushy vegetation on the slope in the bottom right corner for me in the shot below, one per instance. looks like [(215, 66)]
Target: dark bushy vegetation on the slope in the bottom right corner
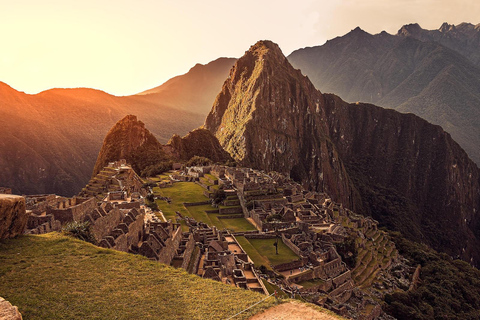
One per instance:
[(448, 289)]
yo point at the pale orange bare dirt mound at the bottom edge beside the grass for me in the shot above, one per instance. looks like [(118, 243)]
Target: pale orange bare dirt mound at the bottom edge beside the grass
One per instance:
[(292, 311)]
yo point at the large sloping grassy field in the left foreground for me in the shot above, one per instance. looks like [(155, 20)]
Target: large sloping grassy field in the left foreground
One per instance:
[(55, 277)]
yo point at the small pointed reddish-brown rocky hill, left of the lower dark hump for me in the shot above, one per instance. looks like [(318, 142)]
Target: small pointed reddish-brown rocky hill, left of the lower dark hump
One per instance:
[(130, 140)]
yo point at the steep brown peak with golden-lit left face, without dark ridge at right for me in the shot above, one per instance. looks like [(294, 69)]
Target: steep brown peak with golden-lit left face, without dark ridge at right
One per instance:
[(268, 116)]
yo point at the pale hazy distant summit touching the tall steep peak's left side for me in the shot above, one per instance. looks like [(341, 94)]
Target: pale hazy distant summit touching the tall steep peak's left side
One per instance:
[(195, 90)]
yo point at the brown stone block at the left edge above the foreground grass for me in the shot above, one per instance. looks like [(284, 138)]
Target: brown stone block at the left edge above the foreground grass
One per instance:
[(13, 217)]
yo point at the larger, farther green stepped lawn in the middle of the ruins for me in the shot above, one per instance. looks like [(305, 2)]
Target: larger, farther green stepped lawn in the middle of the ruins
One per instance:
[(191, 192)]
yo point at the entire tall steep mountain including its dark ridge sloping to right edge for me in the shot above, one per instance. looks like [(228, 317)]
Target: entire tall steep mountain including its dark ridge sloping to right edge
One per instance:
[(400, 169)]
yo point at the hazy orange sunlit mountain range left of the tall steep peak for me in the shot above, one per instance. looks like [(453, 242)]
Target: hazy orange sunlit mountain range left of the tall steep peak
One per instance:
[(50, 140)]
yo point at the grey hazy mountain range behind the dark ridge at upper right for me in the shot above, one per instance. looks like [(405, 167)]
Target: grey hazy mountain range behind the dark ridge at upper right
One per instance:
[(407, 72)]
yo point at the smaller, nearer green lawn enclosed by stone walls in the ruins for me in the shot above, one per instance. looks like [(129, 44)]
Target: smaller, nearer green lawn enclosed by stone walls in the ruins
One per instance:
[(262, 251)]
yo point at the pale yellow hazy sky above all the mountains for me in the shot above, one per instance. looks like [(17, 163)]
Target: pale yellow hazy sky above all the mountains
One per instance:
[(124, 47)]
